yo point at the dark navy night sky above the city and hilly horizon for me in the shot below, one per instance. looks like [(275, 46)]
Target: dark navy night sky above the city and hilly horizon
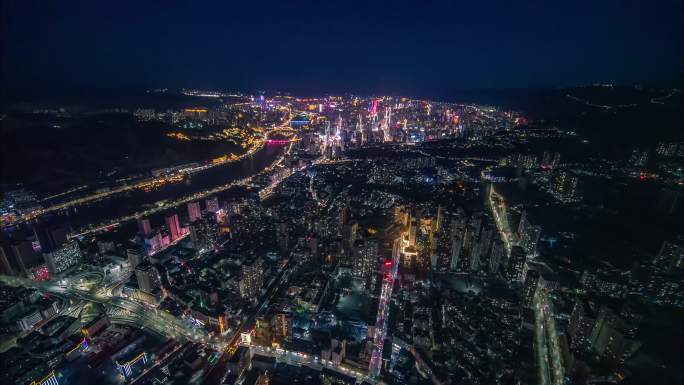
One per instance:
[(329, 46)]
